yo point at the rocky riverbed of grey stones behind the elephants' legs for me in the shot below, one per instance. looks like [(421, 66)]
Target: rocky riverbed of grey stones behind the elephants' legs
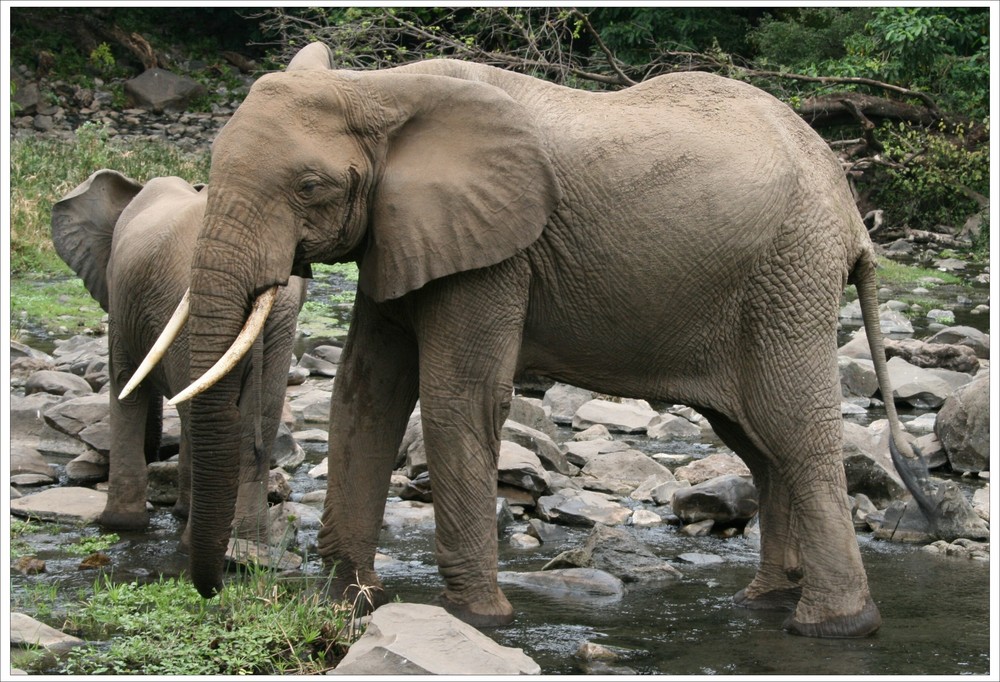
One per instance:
[(595, 492)]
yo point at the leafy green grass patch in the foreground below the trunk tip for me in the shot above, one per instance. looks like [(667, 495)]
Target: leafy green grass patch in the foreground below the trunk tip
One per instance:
[(257, 626)]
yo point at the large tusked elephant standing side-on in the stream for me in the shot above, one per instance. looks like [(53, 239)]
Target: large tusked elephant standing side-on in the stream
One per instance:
[(687, 240)]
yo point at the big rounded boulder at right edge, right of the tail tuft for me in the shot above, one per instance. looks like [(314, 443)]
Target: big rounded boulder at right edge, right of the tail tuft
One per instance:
[(963, 427)]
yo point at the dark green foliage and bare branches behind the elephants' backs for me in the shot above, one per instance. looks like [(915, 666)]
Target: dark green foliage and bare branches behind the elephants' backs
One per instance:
[(902, 93)]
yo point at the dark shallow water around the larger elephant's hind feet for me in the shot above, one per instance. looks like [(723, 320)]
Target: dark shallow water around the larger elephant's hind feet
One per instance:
[(935, 613)]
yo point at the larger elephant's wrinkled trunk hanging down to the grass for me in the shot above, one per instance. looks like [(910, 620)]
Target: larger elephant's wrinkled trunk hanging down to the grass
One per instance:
[(220, 299)]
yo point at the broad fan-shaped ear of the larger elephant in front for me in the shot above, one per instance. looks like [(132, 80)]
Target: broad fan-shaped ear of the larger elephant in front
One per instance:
[(467, 183)]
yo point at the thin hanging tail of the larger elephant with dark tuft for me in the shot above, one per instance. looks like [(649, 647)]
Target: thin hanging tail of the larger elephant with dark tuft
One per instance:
[(909, 464)]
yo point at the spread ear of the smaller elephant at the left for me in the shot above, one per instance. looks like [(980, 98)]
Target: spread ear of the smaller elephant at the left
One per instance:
[(83, 224)]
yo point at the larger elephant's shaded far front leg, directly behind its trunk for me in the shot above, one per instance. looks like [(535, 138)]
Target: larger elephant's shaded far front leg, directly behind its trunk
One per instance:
[(373, 396)]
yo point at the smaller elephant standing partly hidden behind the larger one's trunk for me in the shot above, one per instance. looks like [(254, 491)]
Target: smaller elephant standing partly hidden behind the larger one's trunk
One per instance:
[(132, 246)]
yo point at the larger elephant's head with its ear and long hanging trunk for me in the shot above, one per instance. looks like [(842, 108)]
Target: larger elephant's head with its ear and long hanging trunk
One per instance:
[(414, 176)]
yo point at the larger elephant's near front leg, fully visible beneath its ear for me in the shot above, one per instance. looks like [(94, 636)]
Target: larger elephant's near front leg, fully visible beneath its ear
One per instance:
[(469, 331)]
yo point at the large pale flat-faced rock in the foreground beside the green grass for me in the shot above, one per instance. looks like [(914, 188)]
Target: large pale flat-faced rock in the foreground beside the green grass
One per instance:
[(426, 640)]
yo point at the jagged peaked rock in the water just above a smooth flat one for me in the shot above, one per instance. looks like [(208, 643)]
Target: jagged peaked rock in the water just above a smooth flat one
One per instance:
[(619, 552)]
